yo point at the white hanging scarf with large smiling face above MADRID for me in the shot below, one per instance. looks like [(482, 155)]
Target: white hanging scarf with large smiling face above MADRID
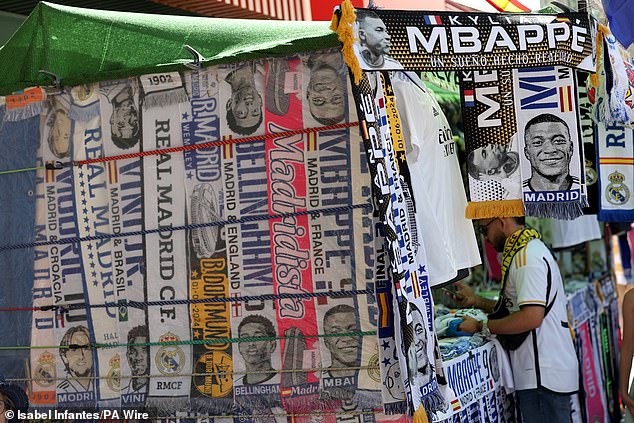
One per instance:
[(550, 138)]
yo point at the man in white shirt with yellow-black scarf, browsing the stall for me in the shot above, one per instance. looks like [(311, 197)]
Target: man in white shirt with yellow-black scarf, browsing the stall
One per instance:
[(544, 362)]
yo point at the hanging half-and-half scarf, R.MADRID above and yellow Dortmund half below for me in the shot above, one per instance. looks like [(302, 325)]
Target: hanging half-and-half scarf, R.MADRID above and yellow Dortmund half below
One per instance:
[(207, 245)]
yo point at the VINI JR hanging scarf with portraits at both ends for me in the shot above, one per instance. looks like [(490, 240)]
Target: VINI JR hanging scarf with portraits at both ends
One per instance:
[(121, 132)]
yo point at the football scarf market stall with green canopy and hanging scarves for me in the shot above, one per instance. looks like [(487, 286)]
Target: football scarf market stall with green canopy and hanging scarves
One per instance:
[(251, 228)]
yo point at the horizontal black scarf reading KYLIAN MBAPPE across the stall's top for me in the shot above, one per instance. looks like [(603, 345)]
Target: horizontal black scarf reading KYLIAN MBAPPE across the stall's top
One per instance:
[(432, 41)]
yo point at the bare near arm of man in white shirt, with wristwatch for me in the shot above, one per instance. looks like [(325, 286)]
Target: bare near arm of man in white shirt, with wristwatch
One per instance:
[(527, 318)]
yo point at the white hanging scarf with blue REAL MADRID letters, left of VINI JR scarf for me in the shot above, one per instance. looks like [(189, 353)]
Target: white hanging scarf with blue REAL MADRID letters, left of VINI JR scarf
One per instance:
[(93, 219)]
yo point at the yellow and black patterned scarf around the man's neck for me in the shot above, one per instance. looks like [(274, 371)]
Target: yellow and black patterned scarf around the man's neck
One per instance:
[(514, 243)]
